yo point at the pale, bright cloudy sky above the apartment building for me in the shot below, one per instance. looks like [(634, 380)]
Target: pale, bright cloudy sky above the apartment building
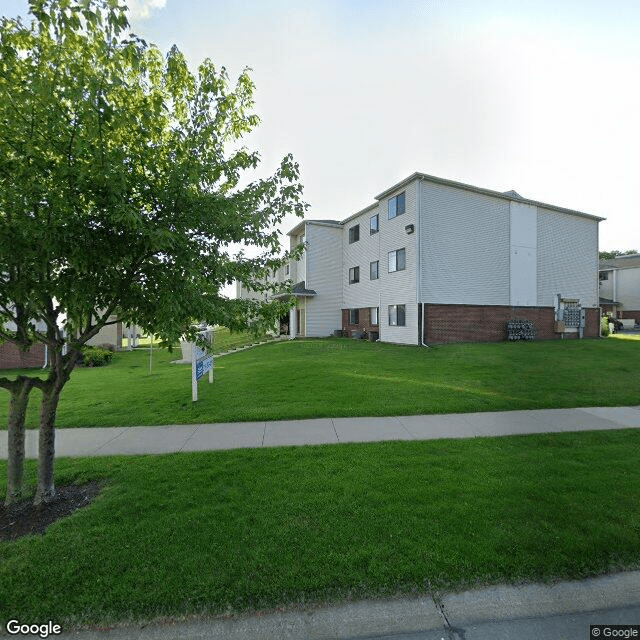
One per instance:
[(538, 96)]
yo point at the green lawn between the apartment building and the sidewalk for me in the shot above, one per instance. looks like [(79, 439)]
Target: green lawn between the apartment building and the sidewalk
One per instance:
[(342, 377)]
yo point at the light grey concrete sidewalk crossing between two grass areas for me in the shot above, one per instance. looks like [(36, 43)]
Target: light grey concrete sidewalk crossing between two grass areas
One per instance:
[(100, 441)]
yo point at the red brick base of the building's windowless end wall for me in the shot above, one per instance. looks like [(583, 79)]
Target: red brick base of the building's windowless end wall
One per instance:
[(471, 323)]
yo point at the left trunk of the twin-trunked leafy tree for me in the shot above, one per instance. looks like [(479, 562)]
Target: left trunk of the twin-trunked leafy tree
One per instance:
[(15, 432)]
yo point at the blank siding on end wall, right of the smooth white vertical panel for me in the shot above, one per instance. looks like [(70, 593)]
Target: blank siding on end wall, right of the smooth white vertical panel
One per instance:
[(567, 258)]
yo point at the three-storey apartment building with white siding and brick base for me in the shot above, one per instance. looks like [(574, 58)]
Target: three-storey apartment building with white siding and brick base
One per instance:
[(433, 261)]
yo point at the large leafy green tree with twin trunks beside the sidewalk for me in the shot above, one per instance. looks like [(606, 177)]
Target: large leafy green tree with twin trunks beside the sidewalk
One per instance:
[(120, 193)]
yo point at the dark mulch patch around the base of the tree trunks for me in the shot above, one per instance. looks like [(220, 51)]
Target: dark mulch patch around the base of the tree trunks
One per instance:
[(23, 518)]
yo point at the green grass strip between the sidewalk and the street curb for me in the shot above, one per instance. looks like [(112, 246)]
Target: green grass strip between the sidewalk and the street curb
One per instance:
[(233, 531)]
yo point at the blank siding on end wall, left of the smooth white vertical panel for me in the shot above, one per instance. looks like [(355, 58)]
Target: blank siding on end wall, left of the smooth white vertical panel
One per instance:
[(465, 246)]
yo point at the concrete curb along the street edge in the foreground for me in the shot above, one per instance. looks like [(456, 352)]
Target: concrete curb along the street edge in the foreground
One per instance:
[(448, 614)]
